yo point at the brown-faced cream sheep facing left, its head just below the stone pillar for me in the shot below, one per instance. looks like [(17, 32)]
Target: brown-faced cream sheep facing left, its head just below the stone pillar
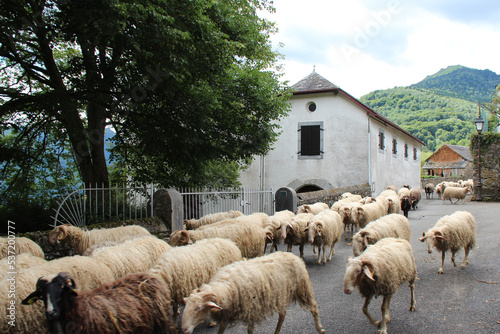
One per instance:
[(250, 238)]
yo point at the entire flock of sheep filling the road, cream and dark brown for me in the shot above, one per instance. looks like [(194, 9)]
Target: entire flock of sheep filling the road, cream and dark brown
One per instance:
[(125, 280)]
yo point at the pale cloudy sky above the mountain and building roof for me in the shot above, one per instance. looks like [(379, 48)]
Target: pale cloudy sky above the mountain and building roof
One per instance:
[(365, 45)]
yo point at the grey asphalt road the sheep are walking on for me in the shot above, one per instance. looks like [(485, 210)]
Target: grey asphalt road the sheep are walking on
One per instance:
[(459, 301)]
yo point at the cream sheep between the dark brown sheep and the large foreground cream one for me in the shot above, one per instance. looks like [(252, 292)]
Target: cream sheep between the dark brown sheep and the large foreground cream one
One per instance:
[(188, 267)]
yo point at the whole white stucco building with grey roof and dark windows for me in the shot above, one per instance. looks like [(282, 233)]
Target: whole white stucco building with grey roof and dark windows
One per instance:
[(331, 140)]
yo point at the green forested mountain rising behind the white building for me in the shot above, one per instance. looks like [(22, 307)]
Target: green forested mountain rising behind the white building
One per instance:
[(439, 109)]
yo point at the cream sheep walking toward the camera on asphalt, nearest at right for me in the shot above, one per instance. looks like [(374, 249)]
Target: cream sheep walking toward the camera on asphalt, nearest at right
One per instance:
[(380, 270)]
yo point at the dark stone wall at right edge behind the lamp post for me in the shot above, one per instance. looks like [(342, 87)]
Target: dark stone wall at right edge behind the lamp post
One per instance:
[(490, 165)]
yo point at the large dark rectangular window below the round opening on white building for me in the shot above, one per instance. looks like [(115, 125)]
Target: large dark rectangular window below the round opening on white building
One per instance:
[(310, 140)]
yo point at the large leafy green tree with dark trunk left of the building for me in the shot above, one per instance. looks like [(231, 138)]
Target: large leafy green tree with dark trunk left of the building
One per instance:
[(186, 85)]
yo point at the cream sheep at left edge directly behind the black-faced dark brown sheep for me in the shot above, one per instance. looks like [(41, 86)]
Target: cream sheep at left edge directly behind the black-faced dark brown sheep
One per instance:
[(87, 272)]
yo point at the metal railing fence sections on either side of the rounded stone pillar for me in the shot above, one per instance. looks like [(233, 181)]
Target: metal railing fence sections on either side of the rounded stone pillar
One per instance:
[(96, 204)]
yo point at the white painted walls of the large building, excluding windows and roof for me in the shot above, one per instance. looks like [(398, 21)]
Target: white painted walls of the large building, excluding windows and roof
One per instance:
[(347, 158)]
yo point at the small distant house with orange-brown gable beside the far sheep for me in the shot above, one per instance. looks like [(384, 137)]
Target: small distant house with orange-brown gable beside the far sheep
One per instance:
[(449, 160)]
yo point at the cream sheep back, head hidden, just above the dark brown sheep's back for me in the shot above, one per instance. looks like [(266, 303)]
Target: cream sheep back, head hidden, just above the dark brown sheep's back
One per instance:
[(132, 256)]
